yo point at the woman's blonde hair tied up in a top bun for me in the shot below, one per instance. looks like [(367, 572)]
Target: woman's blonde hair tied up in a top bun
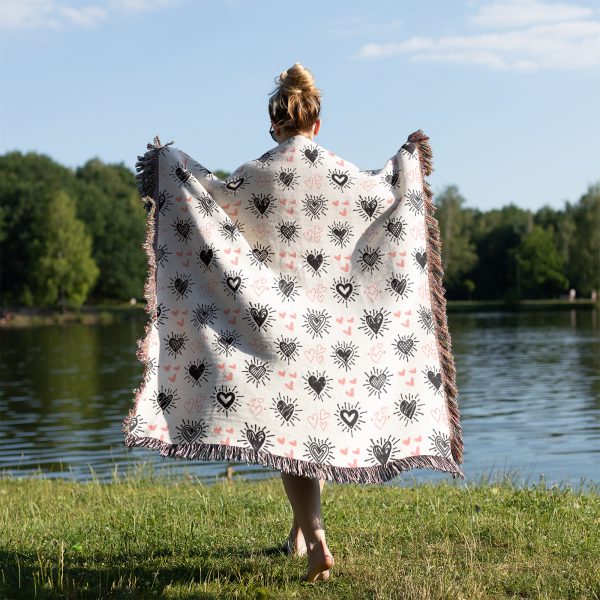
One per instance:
[(295, 104)]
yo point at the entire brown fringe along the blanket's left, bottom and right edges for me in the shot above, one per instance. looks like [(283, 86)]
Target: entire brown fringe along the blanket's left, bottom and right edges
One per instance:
[(147, 185)]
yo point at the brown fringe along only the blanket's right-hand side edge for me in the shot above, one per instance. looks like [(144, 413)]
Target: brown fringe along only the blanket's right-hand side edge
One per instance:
[(437, 290)]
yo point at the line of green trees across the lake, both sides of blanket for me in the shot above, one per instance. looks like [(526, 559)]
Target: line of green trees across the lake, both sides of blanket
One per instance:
[(74, 236)]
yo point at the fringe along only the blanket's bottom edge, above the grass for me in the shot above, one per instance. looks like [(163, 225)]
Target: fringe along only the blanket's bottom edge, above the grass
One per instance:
[(223, 453)]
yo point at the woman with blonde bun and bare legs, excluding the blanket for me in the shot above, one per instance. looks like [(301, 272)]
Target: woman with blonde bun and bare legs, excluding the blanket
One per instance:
[(294, 109)]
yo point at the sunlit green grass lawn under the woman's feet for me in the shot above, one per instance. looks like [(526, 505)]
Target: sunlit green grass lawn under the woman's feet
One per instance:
[(143, 536)]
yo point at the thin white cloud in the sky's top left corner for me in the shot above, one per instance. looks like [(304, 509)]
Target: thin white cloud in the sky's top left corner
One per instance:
[(56, 14)]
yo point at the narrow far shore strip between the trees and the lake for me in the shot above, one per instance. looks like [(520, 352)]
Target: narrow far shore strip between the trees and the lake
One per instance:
[(111, 313)]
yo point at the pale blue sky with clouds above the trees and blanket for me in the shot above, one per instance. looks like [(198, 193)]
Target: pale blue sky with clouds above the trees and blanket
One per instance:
[(507, 90)]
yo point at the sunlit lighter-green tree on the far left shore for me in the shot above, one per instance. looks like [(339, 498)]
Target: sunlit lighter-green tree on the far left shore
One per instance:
[(65, 270)]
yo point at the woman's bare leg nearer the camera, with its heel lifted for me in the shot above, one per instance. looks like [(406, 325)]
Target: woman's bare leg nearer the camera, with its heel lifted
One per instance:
[(304, 495)]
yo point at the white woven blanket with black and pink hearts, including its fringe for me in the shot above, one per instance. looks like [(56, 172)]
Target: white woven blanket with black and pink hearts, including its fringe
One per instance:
[(297, 317)]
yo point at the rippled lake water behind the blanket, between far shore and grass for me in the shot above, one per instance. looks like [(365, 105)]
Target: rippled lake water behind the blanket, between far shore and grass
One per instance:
[(529, 396)]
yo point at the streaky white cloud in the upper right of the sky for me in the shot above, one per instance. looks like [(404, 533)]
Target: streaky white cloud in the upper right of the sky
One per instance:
[(558, 39)]
